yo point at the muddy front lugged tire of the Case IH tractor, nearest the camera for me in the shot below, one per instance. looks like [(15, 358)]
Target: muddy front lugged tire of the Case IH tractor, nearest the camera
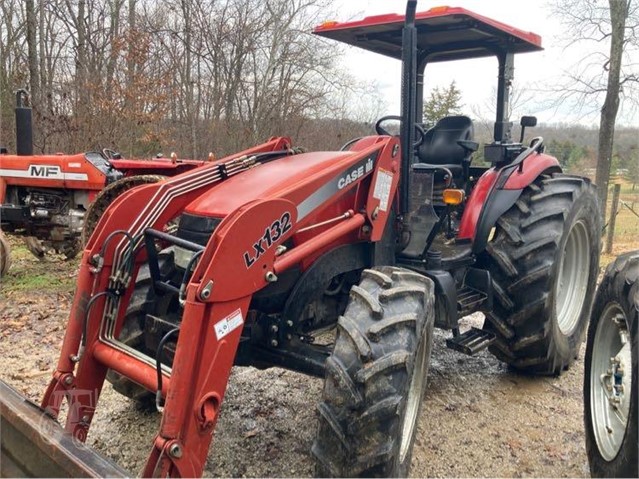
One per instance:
[(376, 376)]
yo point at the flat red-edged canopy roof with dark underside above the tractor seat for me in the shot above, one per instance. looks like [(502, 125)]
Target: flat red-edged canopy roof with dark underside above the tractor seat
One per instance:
[(443, 34)]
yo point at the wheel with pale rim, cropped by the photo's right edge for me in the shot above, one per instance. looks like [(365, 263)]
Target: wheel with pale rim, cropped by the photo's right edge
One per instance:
[(610, 379)]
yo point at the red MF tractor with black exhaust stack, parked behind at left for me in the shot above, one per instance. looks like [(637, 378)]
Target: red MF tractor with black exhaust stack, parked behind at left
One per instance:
[(55, 201)]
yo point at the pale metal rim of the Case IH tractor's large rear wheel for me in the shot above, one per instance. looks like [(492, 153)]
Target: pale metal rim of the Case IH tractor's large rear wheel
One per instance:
[(572, 281)]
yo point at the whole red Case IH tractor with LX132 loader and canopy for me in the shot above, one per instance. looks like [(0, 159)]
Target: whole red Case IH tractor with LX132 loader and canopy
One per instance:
[(337, 264)]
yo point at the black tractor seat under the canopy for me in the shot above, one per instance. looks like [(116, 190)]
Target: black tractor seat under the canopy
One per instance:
[(440, 145)]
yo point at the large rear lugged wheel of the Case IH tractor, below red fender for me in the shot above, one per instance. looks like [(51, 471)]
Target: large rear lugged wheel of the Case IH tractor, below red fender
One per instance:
[(544, 260)]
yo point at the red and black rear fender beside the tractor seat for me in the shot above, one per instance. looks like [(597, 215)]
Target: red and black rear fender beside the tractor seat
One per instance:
[(496, 192)]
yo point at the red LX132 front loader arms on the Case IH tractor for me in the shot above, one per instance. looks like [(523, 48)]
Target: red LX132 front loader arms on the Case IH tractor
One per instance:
[(242, 256)]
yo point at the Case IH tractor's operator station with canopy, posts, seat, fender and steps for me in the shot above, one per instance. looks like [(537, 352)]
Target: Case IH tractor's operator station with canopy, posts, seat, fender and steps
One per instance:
[(436, 160)]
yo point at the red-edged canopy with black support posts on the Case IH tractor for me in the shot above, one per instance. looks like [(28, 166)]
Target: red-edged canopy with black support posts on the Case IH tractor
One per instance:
[(440, 34)]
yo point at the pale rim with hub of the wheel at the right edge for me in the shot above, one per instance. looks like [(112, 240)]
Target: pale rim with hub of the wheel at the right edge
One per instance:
[(610, 381)]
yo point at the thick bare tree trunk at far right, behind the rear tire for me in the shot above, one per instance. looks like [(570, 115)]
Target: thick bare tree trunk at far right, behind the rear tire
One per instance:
[(618, 16)]
